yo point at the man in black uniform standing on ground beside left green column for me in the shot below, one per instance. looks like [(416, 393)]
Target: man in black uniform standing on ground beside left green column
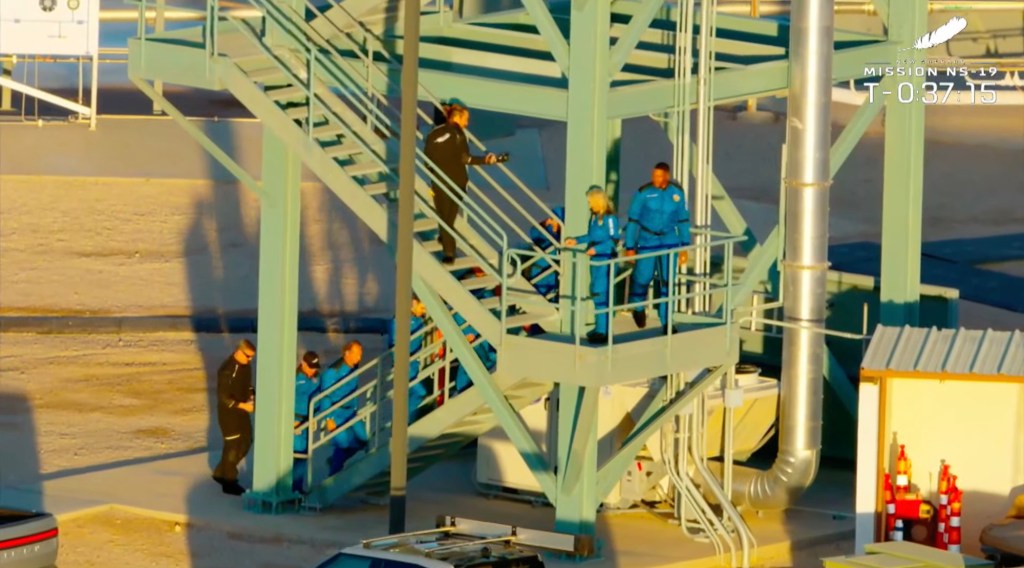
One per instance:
[(235, 404)]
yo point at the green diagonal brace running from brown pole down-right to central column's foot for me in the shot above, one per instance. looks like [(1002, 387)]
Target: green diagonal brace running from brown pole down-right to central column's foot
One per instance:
[(489, 389)]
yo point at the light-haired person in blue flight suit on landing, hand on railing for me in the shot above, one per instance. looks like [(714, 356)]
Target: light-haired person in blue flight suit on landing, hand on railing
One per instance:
[(602, 240)]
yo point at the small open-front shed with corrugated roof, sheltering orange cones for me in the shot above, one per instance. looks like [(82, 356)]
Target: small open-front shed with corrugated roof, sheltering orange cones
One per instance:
[(954, 396)]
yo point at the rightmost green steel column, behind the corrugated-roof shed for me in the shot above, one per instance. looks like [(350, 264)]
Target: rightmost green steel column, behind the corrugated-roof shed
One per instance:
[(904, 177)]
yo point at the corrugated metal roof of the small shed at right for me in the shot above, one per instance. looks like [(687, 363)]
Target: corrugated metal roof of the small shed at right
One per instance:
[(955, 352)]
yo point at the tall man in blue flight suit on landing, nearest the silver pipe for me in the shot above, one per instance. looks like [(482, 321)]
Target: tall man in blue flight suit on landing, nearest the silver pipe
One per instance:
[(659, 221)]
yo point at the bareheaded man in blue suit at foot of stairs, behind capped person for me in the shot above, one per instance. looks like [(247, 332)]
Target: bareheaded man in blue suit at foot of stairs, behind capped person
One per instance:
[(355, 438)]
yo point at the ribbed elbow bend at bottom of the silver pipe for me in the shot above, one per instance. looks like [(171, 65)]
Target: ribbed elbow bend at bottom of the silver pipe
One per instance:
[(781, 487)]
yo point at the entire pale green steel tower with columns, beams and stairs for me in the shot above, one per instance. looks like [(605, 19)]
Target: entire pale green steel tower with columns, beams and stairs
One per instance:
[(323, 78)]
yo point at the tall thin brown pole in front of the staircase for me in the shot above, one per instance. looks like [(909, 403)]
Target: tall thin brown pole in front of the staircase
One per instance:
[(404, 269)]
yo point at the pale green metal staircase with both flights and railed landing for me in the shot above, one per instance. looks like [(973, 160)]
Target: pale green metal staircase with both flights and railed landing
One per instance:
[(326, 96)]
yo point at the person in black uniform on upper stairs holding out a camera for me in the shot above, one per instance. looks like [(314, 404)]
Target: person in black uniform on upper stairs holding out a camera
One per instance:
[(448, 149)]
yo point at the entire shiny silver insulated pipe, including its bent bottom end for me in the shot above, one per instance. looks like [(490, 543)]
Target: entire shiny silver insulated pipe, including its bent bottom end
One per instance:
[(806, 263)]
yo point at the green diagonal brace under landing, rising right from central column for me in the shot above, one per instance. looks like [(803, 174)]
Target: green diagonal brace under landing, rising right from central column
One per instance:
[(612, 471)]
